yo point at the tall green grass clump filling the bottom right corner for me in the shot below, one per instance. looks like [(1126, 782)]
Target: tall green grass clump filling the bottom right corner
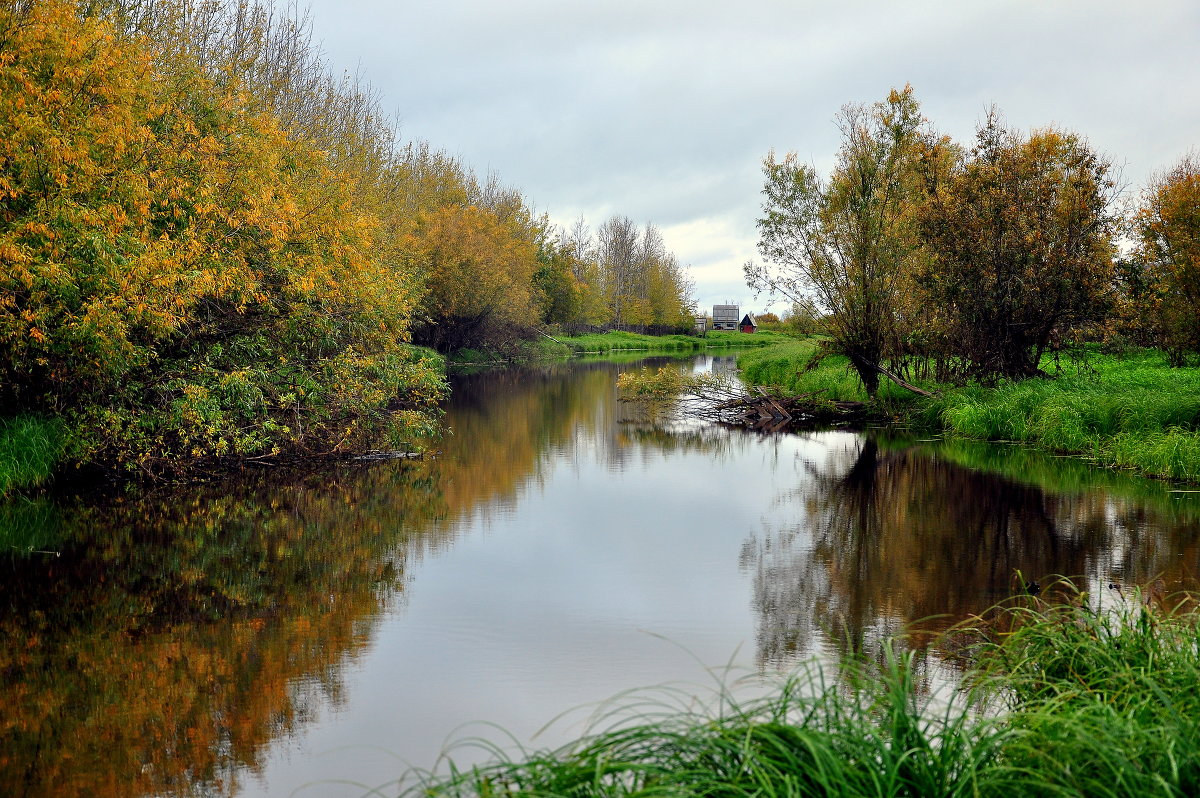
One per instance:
[(1100, 703)]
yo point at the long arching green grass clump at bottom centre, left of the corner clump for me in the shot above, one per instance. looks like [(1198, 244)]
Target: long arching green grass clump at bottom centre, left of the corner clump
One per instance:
[(869, 736)]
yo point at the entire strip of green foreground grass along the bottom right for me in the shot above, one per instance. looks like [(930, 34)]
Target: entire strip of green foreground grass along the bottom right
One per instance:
[(1063, 700)]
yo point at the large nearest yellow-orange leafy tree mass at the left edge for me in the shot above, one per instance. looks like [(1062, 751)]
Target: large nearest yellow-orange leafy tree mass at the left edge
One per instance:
[(182, 277)]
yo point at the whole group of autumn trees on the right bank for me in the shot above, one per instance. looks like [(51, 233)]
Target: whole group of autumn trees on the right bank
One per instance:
[(927, 259)]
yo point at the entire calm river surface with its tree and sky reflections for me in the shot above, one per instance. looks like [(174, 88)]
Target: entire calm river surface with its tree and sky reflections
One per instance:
[(314, 634)]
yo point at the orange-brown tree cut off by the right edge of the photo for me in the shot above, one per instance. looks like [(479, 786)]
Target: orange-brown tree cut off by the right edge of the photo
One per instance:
[(1168, 229)]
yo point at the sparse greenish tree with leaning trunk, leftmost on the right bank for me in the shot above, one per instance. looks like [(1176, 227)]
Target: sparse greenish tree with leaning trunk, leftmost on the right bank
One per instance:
[(843, 248)]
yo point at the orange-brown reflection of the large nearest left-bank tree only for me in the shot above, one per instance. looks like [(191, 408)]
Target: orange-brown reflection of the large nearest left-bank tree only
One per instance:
[(175, 637)]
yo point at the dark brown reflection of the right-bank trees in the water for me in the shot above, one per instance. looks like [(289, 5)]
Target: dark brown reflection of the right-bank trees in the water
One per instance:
[(897, 537)]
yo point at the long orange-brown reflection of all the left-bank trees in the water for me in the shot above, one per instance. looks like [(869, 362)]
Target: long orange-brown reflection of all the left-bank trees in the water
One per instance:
[(178, 634)]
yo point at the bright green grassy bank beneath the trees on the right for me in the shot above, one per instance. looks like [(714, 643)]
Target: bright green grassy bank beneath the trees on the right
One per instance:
[(1132, 411)]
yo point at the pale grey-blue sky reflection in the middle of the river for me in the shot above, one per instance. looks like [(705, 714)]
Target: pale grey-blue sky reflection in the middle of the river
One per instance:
[(614, 571)]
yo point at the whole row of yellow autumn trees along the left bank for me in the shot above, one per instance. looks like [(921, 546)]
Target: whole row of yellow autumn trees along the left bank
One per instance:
[(214, 248)]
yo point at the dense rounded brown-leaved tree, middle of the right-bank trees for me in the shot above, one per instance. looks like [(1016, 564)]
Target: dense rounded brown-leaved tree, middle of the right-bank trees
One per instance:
[(1019, 244)]
